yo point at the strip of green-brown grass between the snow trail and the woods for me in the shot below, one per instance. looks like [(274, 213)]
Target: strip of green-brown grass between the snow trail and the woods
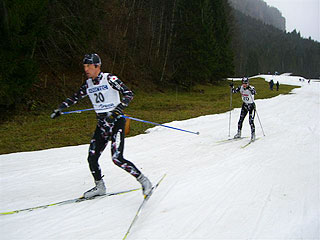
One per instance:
[(32, 131)]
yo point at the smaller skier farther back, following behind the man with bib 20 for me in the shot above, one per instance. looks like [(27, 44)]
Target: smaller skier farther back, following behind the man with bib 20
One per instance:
[(248, 105)]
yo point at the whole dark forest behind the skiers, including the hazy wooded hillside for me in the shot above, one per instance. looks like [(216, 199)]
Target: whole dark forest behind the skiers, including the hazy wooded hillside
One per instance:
[(151, 44)]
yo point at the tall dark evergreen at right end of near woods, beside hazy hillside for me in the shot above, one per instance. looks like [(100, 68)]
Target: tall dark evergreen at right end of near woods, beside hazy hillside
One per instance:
[(201, 43)]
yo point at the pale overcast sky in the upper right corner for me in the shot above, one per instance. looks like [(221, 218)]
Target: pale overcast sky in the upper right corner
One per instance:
[(302, 15)]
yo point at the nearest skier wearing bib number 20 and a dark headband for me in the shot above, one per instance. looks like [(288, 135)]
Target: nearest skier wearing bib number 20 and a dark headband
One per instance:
[(104, 91)]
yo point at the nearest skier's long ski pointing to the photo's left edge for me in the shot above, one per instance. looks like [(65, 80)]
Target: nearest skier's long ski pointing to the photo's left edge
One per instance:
[(75, 200)]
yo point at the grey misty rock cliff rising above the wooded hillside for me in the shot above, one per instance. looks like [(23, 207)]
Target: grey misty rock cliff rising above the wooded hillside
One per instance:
[(258, 9)]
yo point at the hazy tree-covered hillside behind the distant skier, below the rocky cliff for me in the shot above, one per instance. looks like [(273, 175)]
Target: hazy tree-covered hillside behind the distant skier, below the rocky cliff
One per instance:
[(262, 48)]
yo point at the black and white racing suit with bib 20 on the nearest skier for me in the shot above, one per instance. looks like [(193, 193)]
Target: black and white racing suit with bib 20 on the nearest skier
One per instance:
[(104, 93)]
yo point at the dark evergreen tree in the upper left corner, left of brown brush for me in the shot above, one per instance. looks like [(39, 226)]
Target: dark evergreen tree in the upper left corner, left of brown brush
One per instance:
[(21, 29)]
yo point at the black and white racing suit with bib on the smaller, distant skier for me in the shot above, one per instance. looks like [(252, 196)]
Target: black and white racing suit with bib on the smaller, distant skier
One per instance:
[(248, 105)]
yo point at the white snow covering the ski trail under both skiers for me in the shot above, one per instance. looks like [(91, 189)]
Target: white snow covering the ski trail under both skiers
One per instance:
[(213, 190)]
